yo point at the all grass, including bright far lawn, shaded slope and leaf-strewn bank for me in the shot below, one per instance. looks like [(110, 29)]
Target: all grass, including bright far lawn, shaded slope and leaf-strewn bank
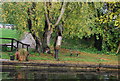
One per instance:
[(87, 54)]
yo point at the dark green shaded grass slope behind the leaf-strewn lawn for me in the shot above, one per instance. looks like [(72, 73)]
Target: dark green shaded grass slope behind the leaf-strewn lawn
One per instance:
[(83, 46)]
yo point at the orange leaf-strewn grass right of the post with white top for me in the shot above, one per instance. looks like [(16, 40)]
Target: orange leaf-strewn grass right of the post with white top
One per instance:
[(87, 57)]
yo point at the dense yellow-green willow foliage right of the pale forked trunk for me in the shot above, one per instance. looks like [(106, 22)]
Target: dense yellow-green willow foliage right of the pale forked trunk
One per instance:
[(80, 19)]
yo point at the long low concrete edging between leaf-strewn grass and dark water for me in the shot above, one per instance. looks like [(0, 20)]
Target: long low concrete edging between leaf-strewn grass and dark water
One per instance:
[(59, 65)]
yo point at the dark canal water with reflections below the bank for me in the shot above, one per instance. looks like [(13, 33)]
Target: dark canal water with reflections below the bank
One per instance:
[(63, 75)]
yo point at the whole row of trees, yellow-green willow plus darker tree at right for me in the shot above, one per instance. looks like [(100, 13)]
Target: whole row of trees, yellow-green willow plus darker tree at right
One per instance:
[(79, 20)]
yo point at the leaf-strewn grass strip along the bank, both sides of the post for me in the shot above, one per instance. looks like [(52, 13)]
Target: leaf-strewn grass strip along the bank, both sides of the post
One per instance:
[(65, 57)]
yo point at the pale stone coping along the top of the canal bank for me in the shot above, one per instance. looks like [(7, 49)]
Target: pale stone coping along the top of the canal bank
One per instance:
[(47, 64)]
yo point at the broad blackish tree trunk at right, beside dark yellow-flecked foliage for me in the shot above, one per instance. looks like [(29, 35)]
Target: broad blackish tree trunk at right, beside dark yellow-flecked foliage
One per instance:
[(98, 42)]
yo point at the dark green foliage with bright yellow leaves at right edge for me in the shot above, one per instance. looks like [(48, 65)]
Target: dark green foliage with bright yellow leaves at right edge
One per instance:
[(109, 26)]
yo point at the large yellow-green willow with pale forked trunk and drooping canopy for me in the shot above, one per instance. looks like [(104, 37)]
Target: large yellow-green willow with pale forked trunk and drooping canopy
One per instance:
[(45, 17)]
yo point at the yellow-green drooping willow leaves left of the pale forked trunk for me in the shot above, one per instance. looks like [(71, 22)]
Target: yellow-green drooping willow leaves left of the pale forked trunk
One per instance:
[(17, 13)]
